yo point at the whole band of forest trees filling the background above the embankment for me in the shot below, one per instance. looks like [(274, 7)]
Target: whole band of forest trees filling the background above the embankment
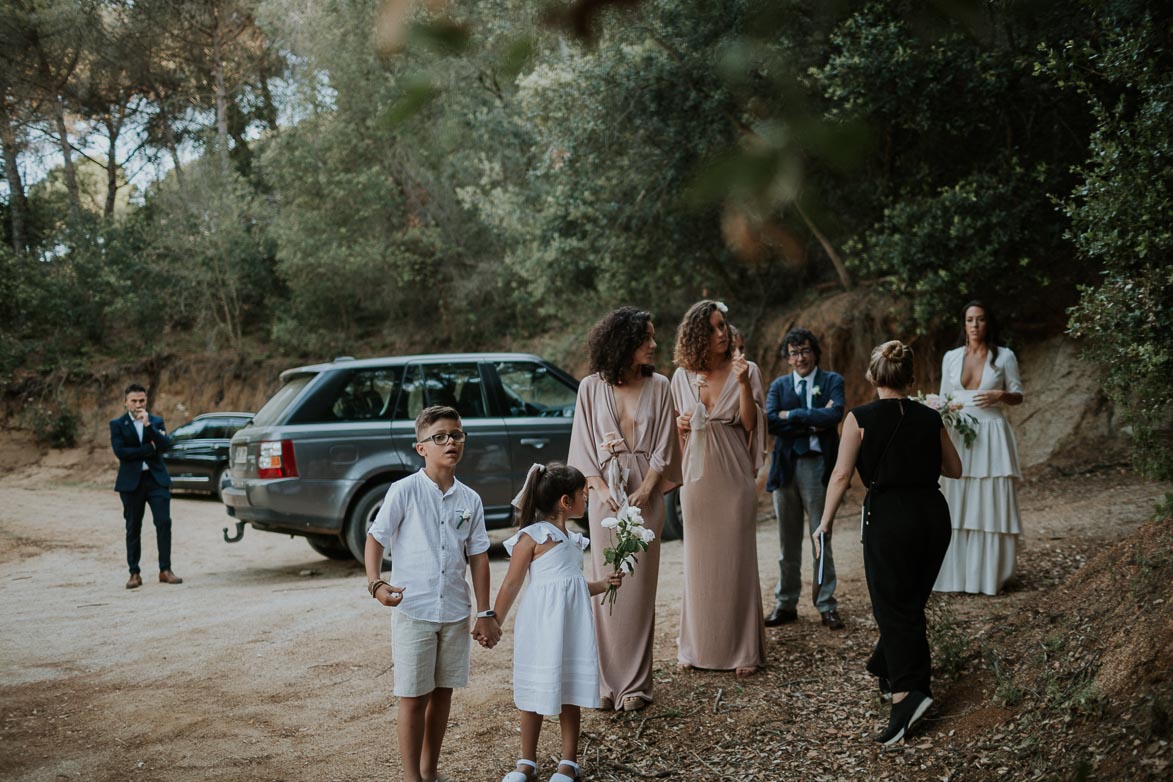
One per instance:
[(311, 178)]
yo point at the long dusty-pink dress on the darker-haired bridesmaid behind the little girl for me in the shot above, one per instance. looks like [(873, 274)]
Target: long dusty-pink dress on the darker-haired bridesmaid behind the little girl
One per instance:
[(626, 634)]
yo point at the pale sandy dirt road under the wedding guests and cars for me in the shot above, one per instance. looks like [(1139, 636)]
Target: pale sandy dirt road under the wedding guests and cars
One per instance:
[(272, 663)]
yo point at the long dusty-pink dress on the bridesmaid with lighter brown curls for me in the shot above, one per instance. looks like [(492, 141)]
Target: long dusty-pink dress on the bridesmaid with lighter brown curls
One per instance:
[(721, 618)]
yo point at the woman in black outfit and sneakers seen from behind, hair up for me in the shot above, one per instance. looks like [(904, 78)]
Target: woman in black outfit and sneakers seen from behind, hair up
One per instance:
[(900, 448)]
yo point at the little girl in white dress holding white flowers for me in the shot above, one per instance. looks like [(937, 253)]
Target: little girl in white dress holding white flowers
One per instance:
[(555, 656)]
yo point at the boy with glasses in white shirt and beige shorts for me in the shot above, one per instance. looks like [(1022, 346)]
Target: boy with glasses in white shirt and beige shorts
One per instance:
[(433, 525)]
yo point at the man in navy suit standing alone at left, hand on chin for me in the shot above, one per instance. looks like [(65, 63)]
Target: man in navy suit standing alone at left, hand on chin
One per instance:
[(139, 441)]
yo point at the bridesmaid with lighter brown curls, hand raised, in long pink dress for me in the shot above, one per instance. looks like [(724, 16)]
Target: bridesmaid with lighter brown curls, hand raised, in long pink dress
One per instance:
[(722, 406)]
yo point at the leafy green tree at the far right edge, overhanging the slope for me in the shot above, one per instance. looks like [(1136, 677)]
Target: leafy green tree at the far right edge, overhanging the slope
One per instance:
[(1121, 222)]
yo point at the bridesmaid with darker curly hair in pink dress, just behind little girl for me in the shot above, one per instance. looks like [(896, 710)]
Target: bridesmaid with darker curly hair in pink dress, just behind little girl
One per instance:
[(623, 441)]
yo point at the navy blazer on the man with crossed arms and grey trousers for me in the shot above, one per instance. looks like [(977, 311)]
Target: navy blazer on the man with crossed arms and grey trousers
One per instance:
[(801, 423)]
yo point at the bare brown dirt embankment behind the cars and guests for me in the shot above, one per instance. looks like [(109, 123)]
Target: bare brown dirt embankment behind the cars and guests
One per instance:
[(1067, 420)]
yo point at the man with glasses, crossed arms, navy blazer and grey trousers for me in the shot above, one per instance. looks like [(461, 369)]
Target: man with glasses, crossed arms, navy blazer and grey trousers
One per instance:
[(803, 411)]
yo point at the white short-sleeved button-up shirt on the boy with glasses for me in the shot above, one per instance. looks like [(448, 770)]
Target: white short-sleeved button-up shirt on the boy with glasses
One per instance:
[(431, 535)]
